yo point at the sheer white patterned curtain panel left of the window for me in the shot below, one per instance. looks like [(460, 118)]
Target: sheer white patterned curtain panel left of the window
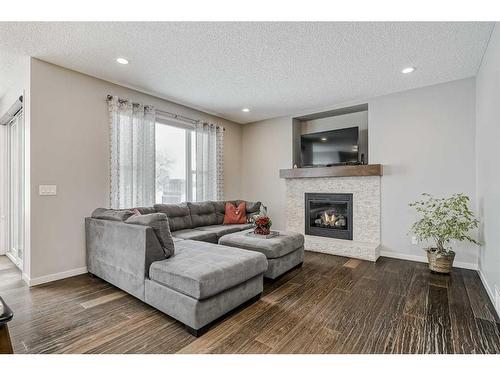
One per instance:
[(132, 129)]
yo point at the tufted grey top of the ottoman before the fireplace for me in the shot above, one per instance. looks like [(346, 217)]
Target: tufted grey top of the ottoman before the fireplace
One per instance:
[(274, 247)]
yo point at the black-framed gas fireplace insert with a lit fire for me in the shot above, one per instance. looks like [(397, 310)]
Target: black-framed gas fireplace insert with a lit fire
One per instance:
[(328, 215)]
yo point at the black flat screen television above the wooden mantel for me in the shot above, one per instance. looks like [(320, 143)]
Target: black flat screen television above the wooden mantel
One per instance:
[(333, 147)]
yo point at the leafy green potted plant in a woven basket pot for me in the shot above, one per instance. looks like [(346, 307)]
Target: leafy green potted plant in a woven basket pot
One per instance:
[(442, 220)]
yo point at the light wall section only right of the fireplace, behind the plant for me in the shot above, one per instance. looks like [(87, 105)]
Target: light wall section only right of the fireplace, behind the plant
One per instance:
[(425, 139)]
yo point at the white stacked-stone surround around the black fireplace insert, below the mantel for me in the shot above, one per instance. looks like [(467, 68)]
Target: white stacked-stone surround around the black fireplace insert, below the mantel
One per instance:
[(366, 214)]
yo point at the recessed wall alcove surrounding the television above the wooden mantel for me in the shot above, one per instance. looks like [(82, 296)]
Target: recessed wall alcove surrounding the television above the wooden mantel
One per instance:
[(342, 118)]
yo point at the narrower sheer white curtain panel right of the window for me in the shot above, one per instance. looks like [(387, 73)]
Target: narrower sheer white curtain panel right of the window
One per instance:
[(209, 140)]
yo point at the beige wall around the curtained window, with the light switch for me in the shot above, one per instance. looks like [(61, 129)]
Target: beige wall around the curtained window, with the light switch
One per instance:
[(70, 148)]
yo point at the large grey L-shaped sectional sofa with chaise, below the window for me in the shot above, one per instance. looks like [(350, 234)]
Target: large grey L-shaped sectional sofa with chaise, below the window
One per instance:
[(200, 283)]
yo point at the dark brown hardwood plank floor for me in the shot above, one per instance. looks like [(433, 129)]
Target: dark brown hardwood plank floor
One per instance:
[(331, 305)]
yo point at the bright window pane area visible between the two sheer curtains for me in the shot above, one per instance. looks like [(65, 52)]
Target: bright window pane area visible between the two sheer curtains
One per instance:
[(175, 163)]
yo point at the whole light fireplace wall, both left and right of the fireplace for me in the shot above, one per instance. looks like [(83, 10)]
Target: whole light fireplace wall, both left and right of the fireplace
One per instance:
[(425, 138)]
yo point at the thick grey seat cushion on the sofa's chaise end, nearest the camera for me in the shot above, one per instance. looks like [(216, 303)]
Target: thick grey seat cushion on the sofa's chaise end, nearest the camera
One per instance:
[(202, 270)]
